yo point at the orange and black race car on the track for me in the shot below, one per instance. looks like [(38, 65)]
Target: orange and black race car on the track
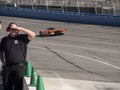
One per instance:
[(52, 31)]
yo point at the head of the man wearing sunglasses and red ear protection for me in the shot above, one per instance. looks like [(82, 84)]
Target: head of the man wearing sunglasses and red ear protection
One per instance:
[(13, 29)]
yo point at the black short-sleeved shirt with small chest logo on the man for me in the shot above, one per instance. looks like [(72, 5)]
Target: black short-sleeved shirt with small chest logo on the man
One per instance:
[(14, 48)]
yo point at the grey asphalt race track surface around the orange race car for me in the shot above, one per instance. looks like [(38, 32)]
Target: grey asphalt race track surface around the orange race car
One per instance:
[(87, 53)]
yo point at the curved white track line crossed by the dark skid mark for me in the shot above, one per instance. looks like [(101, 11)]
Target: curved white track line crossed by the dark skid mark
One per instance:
[(92, 59)]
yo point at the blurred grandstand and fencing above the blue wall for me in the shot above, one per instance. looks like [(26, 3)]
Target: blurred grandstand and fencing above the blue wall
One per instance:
[(111, 7)]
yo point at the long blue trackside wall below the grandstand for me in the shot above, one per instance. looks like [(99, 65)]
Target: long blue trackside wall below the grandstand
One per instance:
[(85, 18)]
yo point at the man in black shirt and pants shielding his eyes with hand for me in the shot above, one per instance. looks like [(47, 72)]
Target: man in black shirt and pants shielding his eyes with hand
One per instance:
[(14, 48)]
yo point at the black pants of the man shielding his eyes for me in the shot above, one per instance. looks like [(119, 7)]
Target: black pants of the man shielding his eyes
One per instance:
[(13, 76)]
